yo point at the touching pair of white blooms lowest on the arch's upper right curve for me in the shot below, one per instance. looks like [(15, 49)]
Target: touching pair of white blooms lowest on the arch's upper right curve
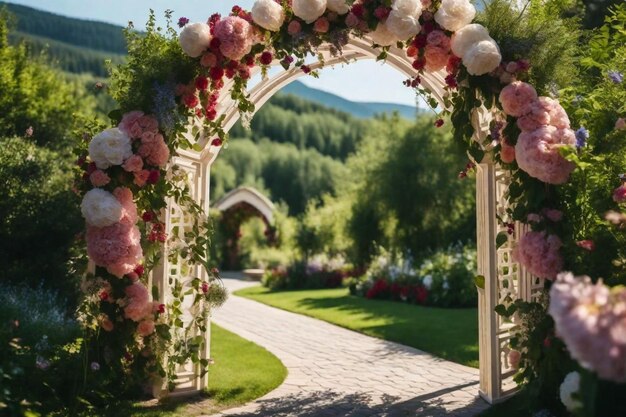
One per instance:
[(480, 53)]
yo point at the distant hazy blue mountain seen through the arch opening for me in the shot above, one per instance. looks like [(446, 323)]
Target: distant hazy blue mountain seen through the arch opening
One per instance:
[(355, 108)]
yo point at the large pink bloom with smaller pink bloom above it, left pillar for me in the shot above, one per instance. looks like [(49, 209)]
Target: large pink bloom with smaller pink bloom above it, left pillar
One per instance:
[(117, 247)]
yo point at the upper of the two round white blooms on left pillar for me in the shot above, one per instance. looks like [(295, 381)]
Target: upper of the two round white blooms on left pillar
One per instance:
[(110, 147)]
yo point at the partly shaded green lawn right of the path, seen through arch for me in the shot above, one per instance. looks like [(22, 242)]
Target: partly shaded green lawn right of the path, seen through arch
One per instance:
[(448, 333)]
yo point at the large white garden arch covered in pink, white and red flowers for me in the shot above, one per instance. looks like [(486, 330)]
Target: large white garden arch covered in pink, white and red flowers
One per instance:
[(146, 181)]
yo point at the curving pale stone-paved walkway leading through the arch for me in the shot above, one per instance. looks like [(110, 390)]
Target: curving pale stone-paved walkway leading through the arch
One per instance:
[(337, 372)]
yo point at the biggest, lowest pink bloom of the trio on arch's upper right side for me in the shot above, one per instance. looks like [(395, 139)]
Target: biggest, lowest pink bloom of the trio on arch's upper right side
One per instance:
[(537, 153)]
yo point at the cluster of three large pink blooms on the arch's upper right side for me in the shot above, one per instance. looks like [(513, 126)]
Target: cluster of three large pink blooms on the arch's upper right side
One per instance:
[(545, 129)]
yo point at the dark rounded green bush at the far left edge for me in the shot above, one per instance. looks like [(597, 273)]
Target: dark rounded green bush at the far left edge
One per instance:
[(40, 216)]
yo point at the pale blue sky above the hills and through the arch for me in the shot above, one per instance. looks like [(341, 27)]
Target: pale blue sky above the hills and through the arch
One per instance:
[(362, 81)]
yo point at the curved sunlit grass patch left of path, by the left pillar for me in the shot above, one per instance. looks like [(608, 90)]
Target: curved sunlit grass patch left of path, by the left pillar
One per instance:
[(242, 372)]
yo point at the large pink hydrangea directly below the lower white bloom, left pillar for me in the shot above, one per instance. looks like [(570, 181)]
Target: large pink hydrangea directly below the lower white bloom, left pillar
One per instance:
[(114, 246)]
